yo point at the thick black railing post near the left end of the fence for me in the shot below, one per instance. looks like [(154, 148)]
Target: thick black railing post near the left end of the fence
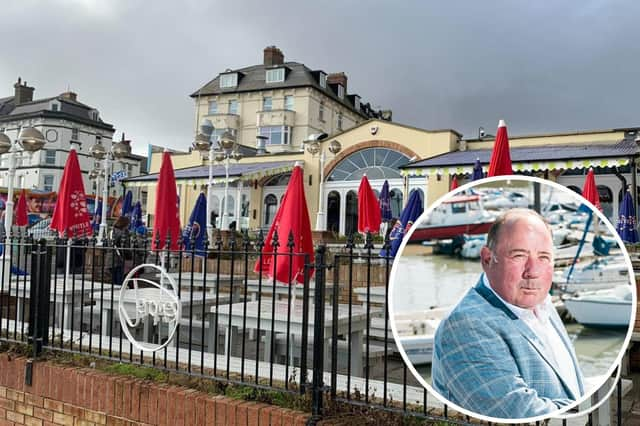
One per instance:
[(39, 291)]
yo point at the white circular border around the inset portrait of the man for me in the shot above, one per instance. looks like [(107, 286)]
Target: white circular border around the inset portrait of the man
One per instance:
[(394, 268)]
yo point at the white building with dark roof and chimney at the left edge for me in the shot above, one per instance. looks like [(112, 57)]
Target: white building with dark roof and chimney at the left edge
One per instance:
[(65, 122)]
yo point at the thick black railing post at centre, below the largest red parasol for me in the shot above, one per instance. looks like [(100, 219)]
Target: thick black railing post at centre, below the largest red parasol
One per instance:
[(318, 335)]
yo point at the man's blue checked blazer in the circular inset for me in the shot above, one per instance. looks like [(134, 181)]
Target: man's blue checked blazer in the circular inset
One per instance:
[(487, 360)]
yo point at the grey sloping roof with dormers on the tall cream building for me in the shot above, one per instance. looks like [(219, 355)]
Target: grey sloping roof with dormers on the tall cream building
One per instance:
[(253, 78)]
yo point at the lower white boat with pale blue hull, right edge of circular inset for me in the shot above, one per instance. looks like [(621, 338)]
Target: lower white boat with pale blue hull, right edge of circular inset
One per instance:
[(602, 308)]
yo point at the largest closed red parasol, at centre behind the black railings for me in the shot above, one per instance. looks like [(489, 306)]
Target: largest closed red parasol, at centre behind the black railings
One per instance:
[(292, 216)]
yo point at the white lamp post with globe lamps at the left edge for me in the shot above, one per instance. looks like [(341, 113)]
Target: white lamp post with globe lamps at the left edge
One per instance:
[(31, 140)]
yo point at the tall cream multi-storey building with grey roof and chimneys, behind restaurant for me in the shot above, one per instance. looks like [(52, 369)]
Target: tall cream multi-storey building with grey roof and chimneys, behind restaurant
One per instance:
[(284, 102)]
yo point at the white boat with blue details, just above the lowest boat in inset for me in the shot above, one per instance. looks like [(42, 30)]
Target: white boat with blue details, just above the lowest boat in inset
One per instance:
[(601, 273)]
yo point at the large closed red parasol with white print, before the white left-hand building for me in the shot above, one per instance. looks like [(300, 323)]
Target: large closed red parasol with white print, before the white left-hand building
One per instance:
[(70, 213)]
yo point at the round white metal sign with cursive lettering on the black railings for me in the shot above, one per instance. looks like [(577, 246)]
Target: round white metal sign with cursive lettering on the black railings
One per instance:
[(152, 309)]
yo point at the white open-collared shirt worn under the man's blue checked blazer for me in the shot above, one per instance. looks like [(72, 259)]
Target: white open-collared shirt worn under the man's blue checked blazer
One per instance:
[(540, 324)]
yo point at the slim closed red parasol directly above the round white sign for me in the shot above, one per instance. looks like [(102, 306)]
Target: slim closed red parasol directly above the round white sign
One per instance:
[(167, 219)]
